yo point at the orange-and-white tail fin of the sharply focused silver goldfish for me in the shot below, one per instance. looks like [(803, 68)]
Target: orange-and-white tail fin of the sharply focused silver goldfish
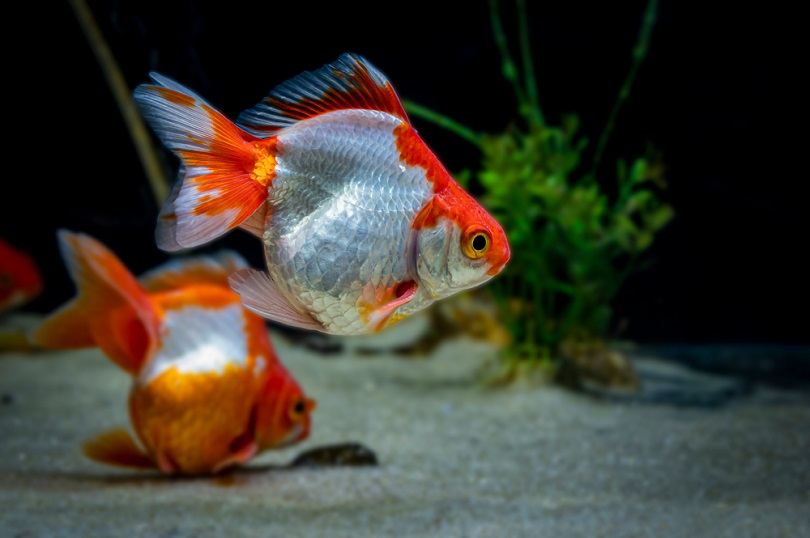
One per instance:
[(226, 169)]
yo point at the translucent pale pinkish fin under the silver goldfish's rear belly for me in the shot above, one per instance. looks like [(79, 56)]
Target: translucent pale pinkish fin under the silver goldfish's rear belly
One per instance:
[(260, 295)]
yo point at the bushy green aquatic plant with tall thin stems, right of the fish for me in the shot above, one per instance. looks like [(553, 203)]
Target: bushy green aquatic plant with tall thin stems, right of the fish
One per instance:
[(575, 235)]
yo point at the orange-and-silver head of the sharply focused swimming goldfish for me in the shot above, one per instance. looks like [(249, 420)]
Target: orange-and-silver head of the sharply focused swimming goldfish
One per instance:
[(461, 246)]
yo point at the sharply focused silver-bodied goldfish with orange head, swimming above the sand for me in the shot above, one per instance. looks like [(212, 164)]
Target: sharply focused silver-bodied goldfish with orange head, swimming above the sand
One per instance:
[(361, 223)]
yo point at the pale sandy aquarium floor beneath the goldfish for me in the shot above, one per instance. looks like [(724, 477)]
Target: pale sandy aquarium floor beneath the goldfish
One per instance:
[(693, 456)]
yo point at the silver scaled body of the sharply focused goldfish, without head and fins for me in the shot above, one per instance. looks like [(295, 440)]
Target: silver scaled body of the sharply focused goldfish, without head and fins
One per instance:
[(339, 216)]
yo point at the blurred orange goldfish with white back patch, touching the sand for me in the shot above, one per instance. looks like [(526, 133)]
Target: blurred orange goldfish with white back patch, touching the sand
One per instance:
[(208, 391)]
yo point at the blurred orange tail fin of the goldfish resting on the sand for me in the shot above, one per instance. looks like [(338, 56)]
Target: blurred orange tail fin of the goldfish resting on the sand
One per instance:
[(110, 310)]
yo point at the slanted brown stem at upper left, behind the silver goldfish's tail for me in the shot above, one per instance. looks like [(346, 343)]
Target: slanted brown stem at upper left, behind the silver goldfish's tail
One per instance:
[(115, 79)]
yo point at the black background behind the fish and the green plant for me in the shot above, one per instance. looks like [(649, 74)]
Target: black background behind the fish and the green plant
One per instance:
[(712, 97)]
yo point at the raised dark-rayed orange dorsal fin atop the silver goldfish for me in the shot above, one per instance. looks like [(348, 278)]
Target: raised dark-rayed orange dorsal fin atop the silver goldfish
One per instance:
[(350, 82)]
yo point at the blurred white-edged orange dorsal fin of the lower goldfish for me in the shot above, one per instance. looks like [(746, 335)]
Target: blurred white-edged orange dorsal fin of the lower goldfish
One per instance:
[(190, 271)]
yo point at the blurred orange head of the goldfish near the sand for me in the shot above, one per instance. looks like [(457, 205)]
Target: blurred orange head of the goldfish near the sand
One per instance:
[(284, 412)]
